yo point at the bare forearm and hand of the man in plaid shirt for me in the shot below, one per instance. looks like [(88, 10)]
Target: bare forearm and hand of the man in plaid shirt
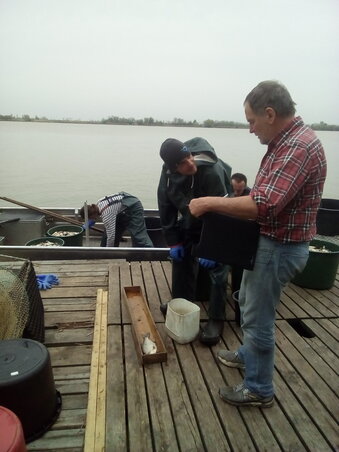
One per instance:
[(241, 207)]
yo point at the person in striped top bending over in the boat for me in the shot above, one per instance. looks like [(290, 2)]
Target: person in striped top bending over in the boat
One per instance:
[(119, 212)]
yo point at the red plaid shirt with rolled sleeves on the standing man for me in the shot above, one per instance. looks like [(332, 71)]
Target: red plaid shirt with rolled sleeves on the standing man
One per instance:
[(289, 184)]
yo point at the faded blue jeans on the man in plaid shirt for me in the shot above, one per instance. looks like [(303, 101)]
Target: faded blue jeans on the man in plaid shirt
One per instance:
[(275, 265)]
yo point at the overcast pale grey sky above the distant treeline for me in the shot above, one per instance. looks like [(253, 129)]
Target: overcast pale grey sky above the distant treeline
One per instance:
[(190, 59)]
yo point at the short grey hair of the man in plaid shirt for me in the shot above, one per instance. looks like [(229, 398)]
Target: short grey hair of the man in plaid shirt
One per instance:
[(271, 94)]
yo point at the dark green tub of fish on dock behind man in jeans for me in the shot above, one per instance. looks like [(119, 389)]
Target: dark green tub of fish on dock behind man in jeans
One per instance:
[(321, 268)]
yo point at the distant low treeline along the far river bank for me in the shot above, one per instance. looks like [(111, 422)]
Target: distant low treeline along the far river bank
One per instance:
[(177, 122)]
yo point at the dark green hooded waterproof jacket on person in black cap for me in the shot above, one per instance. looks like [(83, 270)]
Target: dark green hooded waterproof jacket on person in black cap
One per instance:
[(175, 191)]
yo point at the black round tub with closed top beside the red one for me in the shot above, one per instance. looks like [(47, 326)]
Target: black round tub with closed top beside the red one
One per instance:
[(27, 385)]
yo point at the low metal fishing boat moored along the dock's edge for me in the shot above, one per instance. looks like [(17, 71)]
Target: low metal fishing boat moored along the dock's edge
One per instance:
[(19, 225)]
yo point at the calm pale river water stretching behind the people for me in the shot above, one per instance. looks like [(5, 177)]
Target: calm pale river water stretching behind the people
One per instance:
[(63, 165)]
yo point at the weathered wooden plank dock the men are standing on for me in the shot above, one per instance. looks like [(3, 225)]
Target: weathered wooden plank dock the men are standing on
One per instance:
[(174, 405)]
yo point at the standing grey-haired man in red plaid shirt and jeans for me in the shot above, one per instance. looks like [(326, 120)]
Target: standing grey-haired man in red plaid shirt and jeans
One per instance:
[(284, 200)]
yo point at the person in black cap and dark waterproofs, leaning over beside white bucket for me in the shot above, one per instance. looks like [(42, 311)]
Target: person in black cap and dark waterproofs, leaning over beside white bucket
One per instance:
[(192, 169)]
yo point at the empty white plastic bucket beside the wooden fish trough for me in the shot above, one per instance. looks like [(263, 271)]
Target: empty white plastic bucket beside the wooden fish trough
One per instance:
[(182, 320)]
